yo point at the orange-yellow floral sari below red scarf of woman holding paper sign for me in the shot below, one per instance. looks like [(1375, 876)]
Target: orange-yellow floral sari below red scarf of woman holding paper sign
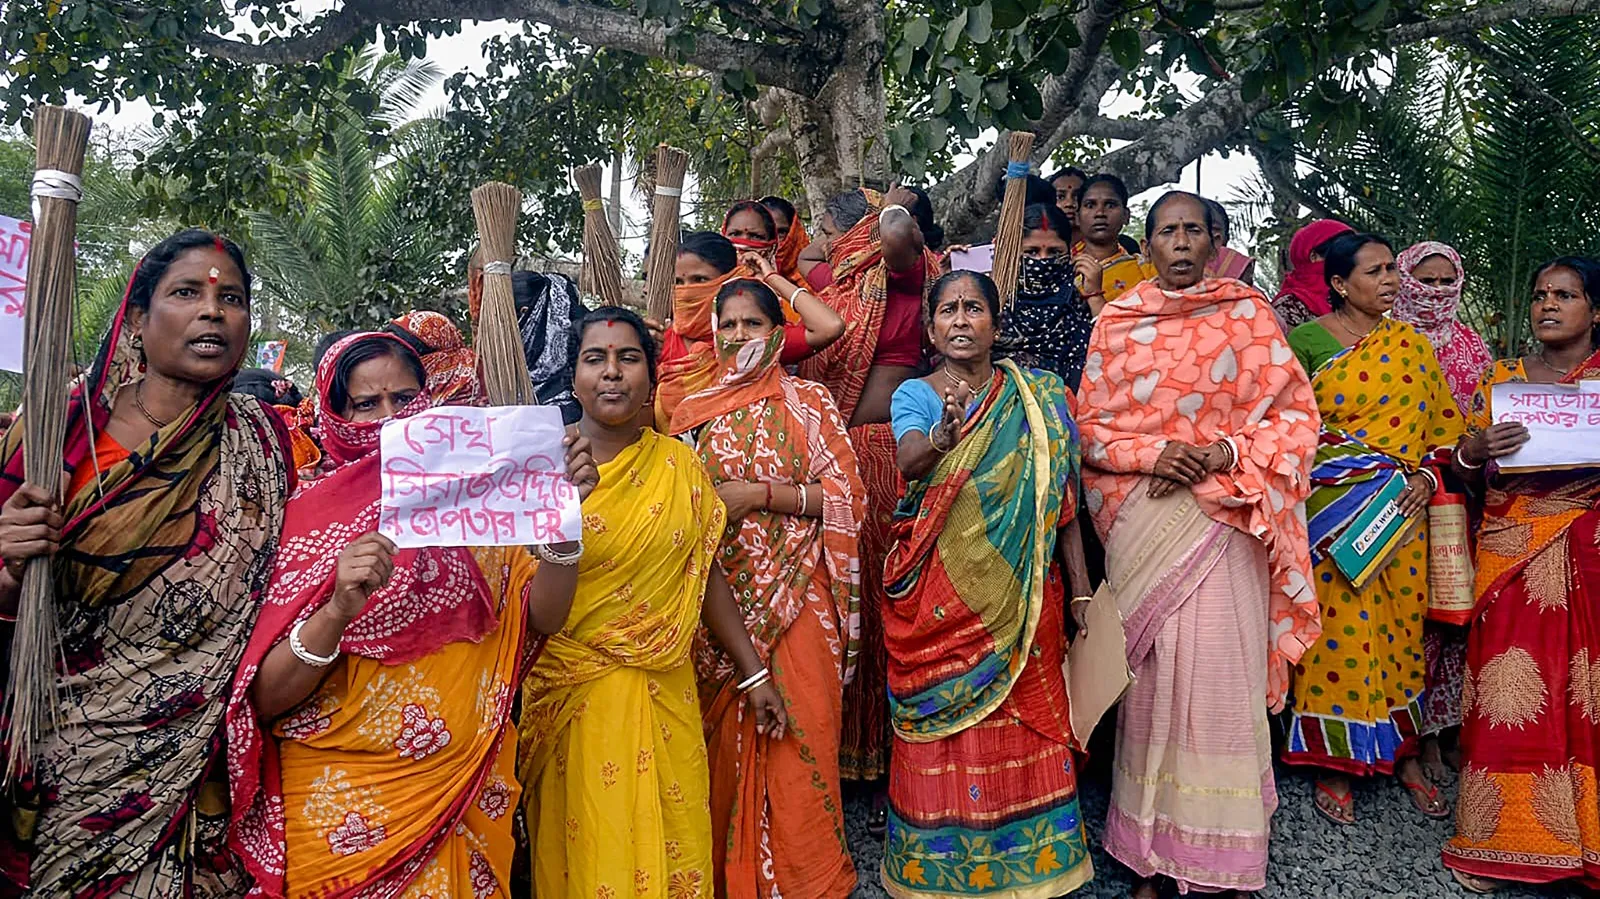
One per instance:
[(382, 754)]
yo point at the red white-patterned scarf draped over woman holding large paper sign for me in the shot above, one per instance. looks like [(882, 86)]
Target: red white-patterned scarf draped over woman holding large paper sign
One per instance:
[(436, 596)]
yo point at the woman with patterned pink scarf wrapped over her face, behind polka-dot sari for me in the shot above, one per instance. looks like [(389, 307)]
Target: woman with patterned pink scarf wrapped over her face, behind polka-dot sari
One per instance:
[(1431, 281)]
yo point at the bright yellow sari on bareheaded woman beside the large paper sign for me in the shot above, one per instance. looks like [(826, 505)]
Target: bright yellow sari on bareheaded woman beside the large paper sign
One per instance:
[(612, 749)]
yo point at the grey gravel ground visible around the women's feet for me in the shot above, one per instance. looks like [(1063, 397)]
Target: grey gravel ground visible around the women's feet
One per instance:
[(1391, 852)]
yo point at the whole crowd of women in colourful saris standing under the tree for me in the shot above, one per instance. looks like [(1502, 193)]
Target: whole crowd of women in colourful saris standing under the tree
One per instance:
[(841, 517)]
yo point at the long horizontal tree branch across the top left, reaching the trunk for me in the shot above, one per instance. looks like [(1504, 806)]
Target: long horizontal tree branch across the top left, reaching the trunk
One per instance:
[(802, 70)]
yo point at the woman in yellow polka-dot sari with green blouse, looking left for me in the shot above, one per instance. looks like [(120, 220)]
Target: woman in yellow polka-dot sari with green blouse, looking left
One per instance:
[(1386, 414)]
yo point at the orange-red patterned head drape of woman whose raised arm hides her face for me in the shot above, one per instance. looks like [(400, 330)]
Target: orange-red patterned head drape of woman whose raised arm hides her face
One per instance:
[(860, 295)]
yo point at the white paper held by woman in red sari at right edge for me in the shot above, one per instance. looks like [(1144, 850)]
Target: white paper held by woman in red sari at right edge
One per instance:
[(1562, 422)]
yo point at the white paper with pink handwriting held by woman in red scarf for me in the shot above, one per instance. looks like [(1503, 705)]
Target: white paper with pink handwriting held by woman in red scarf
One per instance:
[(458, 476)]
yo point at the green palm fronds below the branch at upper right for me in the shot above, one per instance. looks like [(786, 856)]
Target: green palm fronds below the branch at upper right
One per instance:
[(1452, 151)]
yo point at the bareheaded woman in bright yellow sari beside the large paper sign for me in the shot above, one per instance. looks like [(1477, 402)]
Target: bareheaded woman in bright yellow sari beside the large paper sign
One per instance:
[(612, 753)]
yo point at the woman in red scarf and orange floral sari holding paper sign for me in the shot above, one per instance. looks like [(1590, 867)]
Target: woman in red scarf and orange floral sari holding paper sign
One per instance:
[(370, 730)]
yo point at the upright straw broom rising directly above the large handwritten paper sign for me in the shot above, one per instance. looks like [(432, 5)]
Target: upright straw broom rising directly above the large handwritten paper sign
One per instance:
[(498, 342)]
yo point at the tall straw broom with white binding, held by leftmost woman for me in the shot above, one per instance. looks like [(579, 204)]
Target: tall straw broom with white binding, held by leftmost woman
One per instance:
[(33, 703)]
